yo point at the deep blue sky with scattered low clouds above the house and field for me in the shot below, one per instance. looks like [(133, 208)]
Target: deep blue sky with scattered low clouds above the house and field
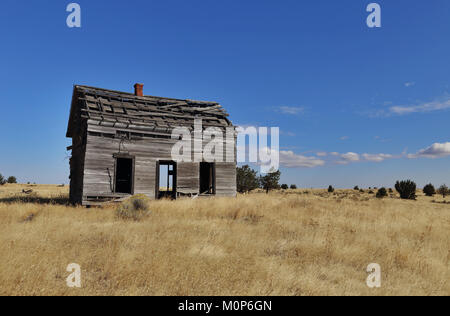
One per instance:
[(356, 106)]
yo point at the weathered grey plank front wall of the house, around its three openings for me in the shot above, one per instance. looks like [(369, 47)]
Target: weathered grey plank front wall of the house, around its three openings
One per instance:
[(147, 151)]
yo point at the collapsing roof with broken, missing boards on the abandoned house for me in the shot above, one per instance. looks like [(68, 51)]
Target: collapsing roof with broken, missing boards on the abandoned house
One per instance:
[(139, 112)]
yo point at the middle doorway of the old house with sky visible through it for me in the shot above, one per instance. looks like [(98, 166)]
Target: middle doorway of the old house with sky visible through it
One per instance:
[(166, 180)]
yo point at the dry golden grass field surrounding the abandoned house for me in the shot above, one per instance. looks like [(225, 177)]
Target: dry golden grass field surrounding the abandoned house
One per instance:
[(302, 242)]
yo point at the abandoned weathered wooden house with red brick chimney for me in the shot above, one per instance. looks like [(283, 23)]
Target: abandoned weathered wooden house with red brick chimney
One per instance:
[(122, 144)]
